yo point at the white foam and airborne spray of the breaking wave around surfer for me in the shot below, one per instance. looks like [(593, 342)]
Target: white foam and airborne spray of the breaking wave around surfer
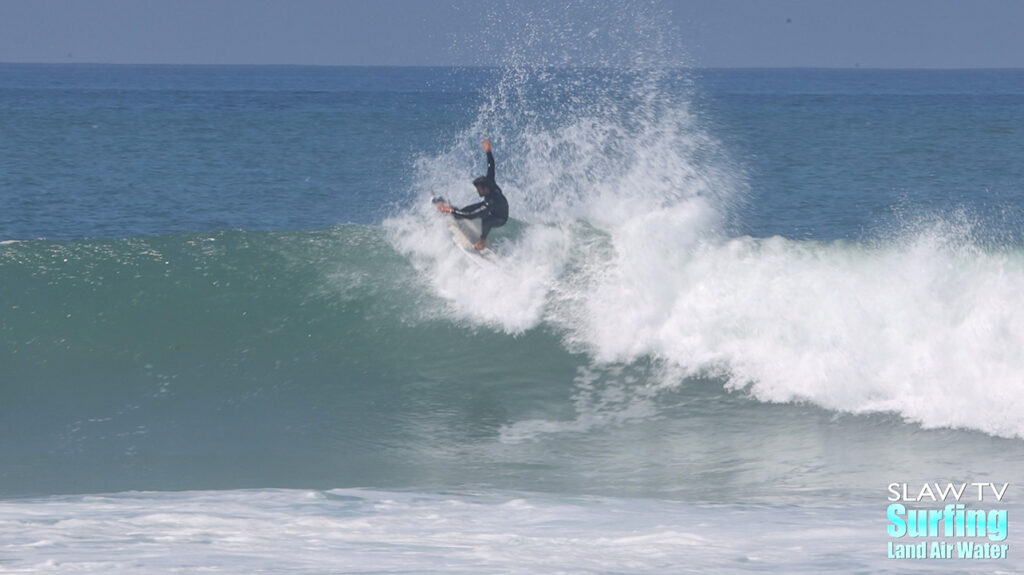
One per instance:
[(625, 246)]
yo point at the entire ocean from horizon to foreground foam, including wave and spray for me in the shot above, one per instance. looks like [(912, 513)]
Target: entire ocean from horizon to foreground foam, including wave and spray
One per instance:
[(732, 308)]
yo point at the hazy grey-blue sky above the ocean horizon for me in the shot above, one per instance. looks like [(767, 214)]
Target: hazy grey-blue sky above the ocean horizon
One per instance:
[(708, 33)]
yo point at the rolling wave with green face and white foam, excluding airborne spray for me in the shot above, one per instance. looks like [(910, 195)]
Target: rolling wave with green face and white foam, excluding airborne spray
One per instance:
[(326, 359)]
